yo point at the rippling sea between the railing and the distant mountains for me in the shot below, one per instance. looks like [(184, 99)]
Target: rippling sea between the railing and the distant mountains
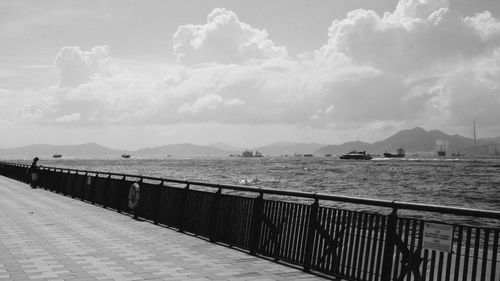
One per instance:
[(457, 182)]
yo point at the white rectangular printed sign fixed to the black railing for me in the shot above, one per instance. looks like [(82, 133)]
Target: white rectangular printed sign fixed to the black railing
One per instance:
[(438, 237)]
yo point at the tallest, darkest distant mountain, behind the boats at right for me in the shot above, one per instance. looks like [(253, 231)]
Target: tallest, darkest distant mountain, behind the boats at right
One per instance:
[(413, 141)]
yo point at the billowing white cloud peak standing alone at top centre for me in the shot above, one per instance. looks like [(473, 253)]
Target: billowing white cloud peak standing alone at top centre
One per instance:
[(223, 39)]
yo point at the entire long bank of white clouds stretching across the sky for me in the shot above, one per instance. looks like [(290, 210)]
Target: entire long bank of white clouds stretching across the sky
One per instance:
[(422, 64)]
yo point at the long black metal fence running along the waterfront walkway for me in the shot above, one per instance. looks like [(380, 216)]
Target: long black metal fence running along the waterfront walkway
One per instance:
[(300, 228)]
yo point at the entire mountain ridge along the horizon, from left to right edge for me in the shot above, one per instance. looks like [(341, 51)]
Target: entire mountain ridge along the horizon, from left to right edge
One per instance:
[(416, 140)]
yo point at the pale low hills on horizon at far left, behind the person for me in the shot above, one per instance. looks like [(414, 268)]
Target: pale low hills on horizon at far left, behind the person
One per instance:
[(48, 150)]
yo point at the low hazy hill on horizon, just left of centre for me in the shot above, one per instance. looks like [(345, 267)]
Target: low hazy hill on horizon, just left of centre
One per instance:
[(183, 150)]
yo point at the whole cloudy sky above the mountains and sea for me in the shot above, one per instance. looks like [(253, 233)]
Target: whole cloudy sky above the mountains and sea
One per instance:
[(133, 74)]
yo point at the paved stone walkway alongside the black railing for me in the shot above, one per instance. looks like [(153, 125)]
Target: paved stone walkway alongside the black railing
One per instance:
[(47, 236)]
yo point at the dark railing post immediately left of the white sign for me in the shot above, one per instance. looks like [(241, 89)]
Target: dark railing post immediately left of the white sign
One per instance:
[(390, 238)]
